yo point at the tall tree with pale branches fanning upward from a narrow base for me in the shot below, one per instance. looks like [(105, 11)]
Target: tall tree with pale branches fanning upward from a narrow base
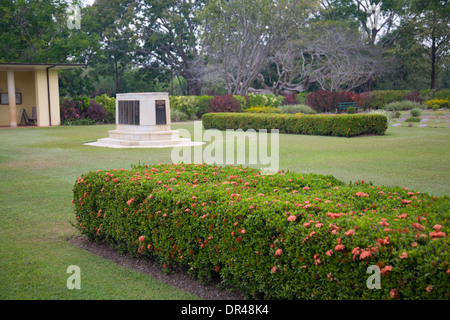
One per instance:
[(240, 35)]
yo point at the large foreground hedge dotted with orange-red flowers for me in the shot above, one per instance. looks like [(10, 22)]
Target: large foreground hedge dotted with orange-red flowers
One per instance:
[(281, 236)]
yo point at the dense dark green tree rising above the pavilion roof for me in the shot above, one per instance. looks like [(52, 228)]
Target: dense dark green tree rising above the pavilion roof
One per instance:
[(36, 31)]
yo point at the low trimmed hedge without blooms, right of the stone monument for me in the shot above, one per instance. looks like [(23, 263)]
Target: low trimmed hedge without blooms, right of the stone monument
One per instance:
[(342, 125)]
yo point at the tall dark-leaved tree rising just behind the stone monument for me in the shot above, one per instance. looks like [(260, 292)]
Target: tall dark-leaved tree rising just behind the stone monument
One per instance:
[(170, 31)]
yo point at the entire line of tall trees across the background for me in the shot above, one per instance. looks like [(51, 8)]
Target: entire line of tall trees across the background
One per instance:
[(193, 47)]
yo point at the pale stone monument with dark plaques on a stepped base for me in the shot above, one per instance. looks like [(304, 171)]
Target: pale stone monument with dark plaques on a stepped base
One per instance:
[(143, 120)]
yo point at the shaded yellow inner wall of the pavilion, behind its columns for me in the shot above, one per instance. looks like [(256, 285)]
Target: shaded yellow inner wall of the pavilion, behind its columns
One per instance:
[(24, 82)]
